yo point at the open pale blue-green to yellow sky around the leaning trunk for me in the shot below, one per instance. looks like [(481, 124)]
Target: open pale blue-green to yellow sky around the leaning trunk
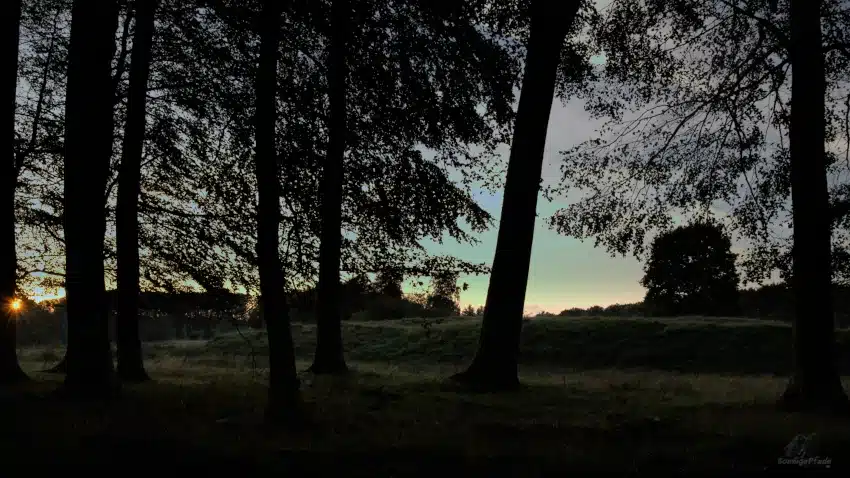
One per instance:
[(565, 272)]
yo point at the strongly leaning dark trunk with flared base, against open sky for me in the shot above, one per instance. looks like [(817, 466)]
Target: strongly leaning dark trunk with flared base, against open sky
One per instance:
[(495, 364)]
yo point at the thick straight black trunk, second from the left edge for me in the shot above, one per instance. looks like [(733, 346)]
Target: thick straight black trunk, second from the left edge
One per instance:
[(88, 148)]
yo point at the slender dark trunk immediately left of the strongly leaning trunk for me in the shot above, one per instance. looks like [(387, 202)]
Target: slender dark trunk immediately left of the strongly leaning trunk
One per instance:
[(329, 358)]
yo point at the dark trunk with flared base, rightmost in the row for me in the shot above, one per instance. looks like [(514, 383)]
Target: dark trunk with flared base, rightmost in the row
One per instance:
[(815, 383)]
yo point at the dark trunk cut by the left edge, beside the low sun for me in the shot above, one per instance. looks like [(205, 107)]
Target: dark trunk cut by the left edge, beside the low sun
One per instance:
[(10, 369)]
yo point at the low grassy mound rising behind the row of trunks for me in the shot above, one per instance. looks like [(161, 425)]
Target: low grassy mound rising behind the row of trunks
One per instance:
[(695, 345)]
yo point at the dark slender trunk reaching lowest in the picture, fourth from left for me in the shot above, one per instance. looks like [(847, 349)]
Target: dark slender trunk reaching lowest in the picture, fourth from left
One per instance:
[(284, 401)]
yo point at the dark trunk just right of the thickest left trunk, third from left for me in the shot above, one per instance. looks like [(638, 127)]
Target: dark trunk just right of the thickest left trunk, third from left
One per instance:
[(130, 363)]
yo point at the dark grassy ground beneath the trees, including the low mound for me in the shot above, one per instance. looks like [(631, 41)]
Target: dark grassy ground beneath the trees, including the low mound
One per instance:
[(628, 396)]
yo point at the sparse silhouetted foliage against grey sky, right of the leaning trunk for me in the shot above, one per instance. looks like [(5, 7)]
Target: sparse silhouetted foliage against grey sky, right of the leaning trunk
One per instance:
[(696, 95)]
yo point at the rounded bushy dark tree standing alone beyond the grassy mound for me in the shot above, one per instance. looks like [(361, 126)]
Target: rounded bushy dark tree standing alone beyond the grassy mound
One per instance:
[(691, 271)]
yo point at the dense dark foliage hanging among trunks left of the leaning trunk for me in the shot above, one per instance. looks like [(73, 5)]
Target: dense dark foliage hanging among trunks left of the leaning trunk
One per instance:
[(197, 230)]
